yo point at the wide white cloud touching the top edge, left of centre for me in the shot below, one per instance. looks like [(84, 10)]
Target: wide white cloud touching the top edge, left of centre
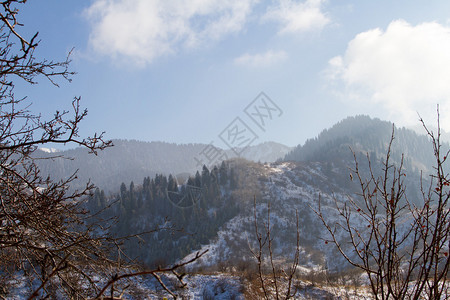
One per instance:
[(143, 30)]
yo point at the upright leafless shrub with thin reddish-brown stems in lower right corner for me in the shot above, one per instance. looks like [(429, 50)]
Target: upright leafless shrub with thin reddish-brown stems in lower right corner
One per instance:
[(401, 247)]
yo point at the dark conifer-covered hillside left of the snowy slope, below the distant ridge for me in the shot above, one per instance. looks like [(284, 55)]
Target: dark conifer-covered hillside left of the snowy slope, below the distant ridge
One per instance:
[(187, 214)]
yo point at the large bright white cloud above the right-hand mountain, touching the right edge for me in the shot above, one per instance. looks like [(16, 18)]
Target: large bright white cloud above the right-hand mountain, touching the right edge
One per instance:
[(404, 70)]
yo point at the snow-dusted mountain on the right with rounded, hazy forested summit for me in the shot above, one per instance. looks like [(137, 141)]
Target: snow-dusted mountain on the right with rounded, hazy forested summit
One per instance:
[(320, 168)]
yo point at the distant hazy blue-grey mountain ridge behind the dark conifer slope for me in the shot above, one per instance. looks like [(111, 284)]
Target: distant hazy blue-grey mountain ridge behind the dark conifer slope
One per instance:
[(133, 160)]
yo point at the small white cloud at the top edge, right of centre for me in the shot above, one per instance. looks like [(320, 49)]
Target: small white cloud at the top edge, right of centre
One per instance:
[(297, 16)]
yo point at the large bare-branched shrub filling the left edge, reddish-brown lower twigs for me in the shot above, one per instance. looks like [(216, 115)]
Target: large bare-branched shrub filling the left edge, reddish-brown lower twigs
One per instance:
[(45, 230)]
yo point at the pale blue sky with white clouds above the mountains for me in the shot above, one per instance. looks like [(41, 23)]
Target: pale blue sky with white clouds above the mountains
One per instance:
[(193, 71)]
